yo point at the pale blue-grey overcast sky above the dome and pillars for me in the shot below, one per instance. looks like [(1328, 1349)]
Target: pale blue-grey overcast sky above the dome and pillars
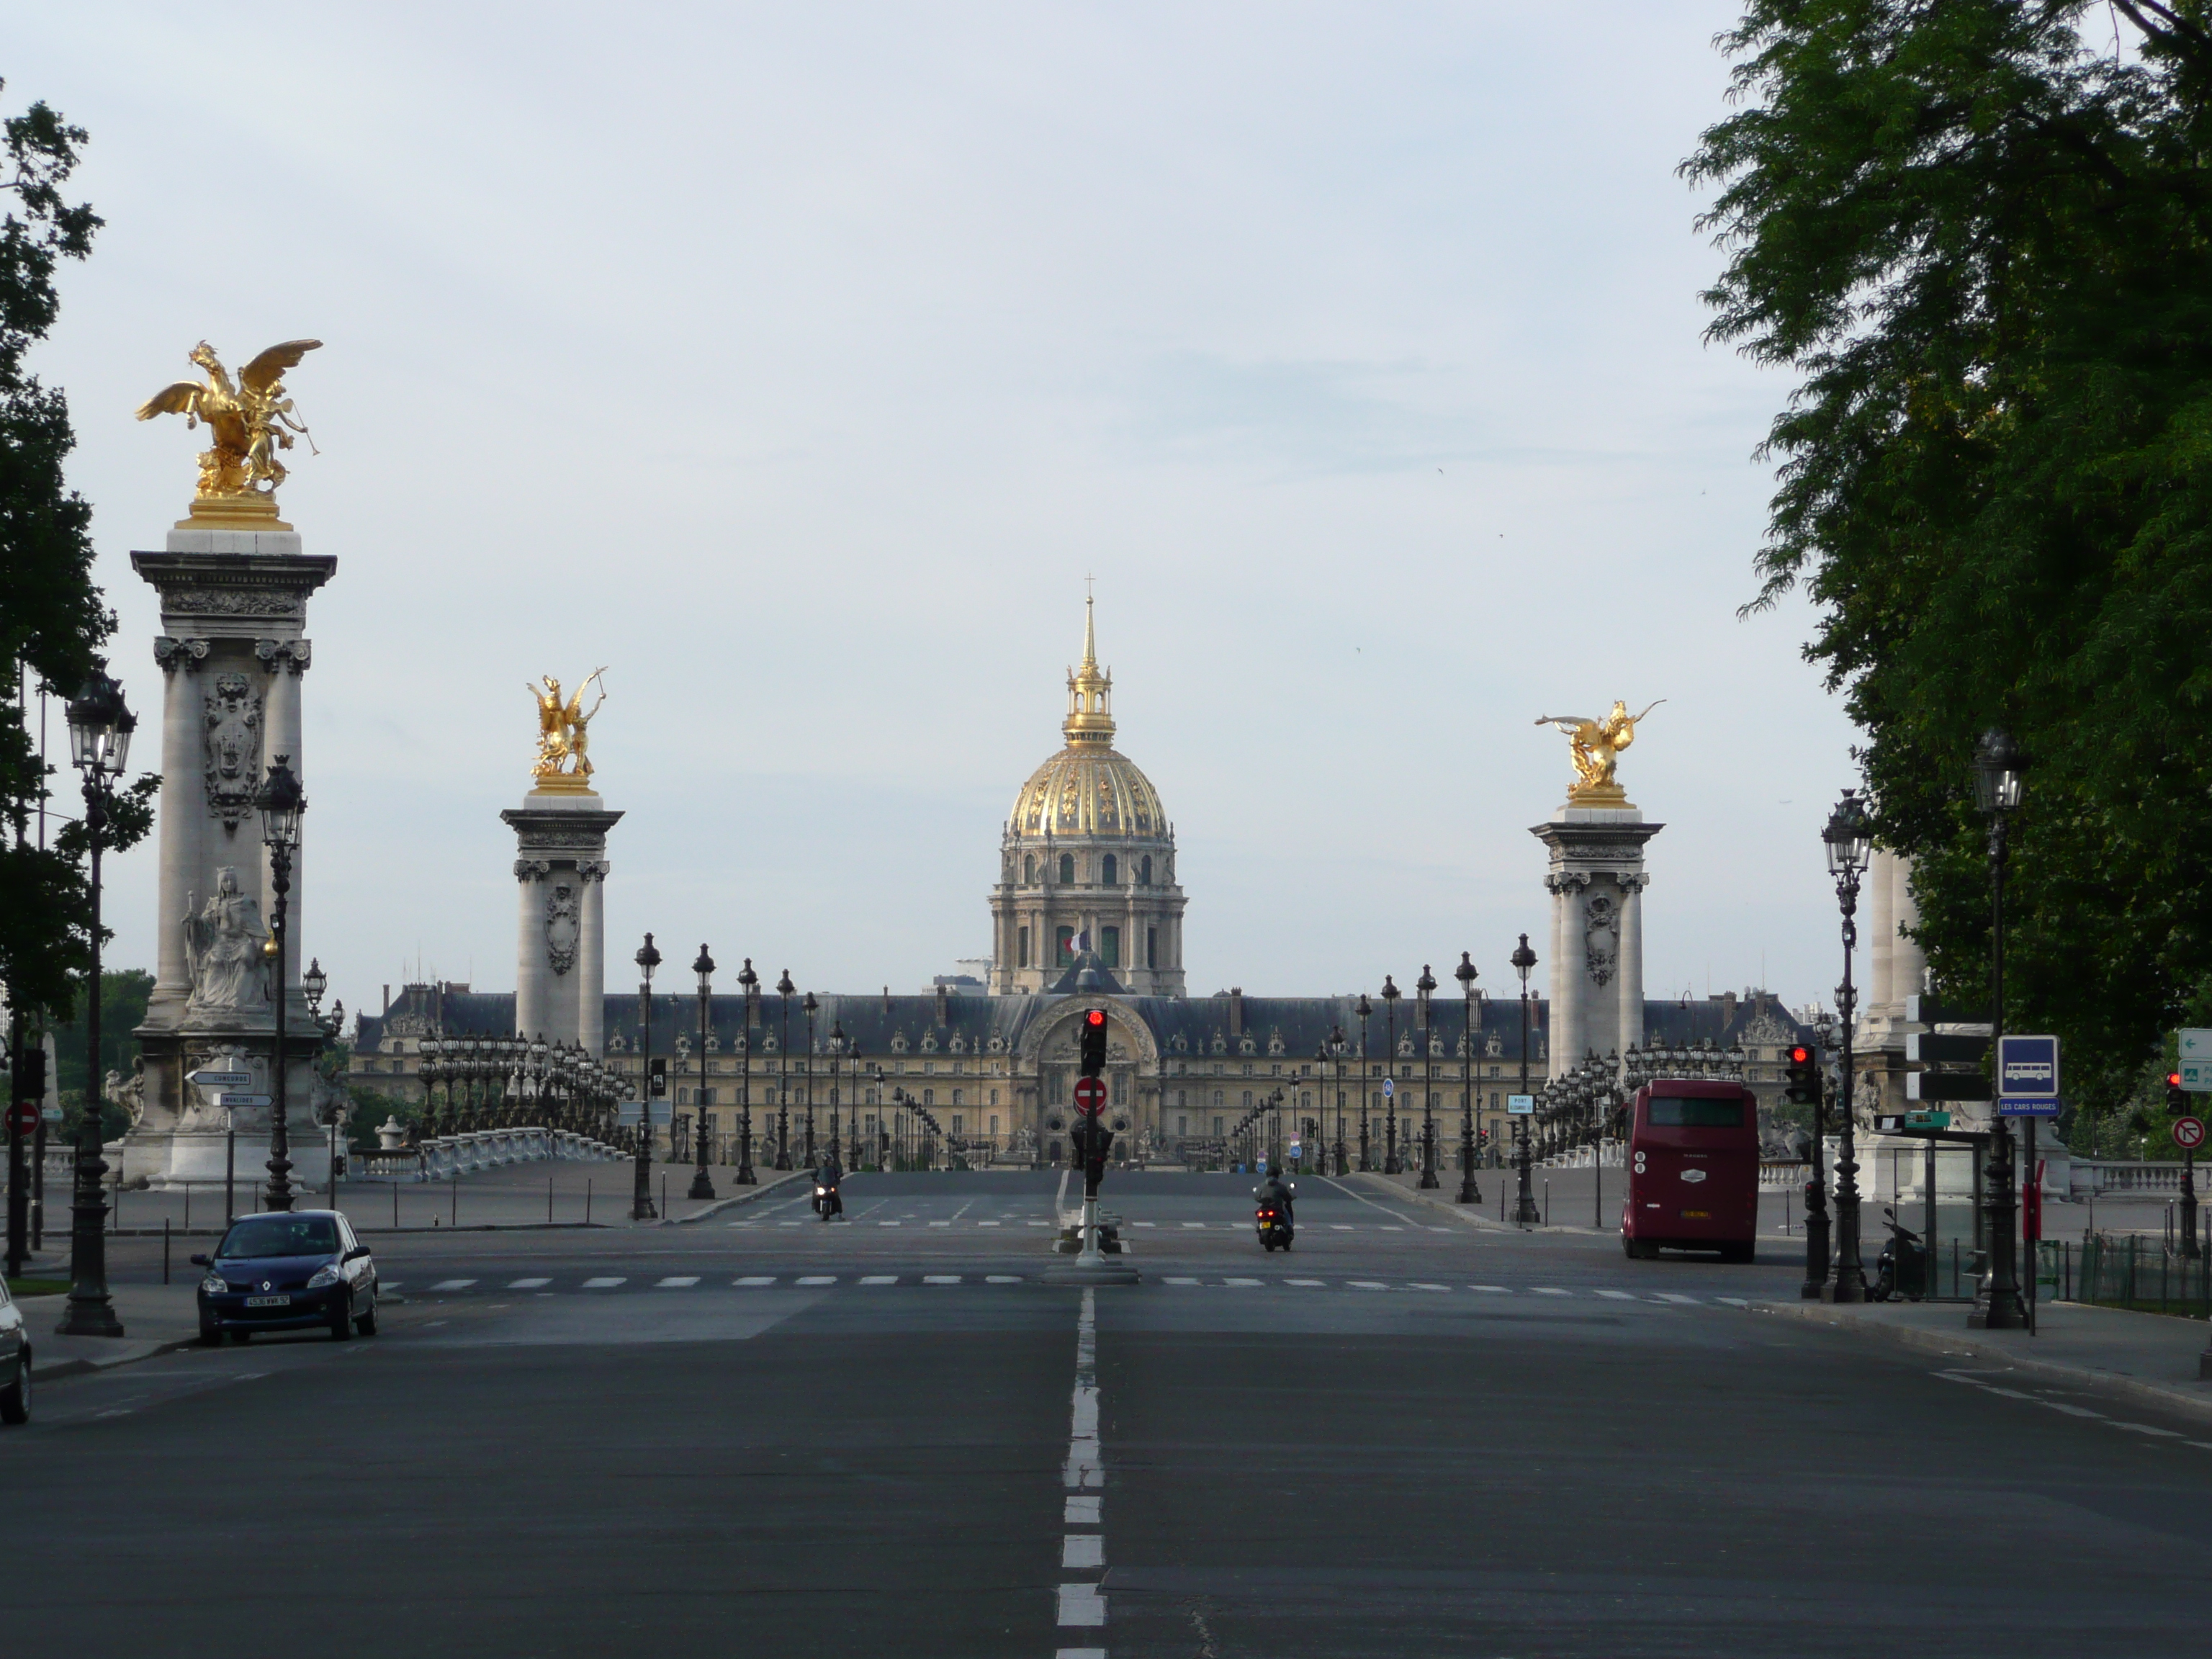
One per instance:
[(802, 362)]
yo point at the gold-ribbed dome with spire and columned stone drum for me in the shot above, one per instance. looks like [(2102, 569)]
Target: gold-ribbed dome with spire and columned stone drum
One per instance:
[(1087, 862)]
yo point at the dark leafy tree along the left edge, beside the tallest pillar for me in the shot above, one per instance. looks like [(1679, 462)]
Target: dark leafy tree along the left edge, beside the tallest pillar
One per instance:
[(54, 618)]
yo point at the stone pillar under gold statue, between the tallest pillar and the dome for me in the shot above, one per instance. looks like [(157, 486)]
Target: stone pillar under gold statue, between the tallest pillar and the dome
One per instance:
[(561, 952)]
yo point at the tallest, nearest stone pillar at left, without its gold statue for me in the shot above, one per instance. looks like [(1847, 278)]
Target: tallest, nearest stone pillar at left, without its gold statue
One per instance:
[(233, 656)]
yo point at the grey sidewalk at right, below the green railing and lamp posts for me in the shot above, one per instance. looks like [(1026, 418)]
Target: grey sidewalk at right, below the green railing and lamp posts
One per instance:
[(2105, 1350)]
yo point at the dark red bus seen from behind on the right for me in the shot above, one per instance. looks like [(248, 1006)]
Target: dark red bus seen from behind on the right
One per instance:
[(1693, 1171)]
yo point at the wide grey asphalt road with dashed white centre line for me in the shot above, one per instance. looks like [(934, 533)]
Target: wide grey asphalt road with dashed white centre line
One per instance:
[(764, 1434)]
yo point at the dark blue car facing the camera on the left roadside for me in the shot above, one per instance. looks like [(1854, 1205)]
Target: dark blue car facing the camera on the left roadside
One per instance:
[(284, 1273)]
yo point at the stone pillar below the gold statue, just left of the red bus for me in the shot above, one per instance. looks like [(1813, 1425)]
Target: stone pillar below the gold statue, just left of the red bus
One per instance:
[(1596, 886)]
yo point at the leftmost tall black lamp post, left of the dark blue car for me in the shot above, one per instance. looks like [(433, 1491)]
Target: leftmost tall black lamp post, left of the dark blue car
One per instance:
[(101, 740)]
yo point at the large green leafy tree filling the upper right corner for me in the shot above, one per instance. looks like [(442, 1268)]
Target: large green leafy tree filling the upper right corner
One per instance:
[(1985, 244)]
